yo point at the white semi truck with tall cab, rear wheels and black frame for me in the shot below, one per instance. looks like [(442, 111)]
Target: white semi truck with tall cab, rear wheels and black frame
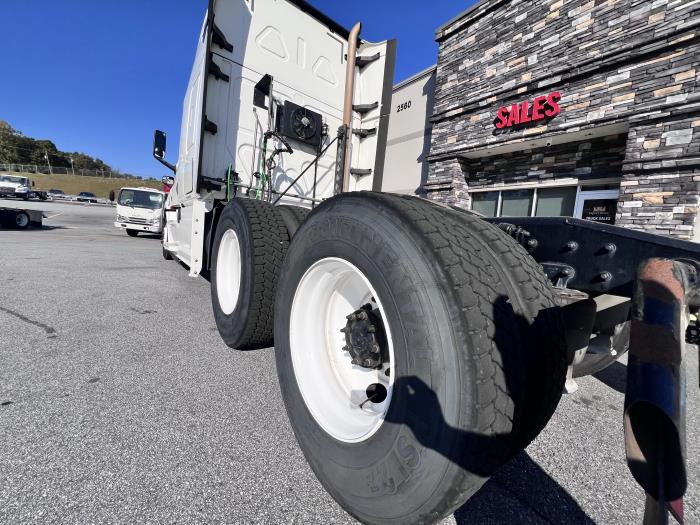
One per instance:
[(418, 346)]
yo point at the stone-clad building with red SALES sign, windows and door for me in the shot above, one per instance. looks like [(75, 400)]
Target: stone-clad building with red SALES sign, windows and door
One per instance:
[(571, 107)]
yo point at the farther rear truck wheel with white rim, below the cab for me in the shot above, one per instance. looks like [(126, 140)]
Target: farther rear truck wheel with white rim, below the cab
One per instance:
[(250, 243)]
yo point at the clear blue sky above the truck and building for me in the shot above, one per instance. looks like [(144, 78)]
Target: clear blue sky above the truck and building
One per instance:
[(98, 76)]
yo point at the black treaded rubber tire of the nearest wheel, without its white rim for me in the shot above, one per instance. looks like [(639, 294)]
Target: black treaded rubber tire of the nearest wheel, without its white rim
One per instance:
[(480, 359)]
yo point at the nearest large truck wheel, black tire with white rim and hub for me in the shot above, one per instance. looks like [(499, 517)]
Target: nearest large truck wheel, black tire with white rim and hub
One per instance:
[(463, 320)]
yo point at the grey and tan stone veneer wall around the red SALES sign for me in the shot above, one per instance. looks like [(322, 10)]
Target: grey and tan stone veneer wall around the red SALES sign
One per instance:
[(615, 62)]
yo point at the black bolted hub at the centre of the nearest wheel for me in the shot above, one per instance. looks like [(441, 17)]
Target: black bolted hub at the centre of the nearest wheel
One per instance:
[(364, 338)]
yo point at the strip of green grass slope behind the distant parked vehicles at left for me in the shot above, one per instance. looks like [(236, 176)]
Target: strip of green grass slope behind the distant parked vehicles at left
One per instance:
[(74, 184)]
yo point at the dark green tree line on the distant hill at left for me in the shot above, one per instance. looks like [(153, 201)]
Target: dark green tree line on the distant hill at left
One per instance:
[(16, 148)]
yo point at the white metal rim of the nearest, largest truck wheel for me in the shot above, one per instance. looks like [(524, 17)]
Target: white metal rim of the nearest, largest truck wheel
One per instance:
[(332, 387)]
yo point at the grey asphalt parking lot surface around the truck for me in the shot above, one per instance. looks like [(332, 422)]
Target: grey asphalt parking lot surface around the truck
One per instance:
[(120, 403)]
